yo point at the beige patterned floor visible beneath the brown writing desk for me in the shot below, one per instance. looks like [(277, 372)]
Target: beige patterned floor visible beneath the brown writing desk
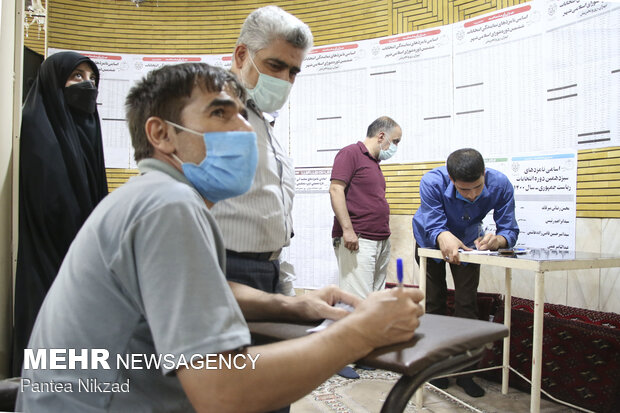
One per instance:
[(367, 394)]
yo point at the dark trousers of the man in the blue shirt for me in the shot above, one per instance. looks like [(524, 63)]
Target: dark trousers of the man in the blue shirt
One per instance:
[(466, 278)]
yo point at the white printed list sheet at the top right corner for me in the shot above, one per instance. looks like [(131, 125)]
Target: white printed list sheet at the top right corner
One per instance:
[(582, 49)]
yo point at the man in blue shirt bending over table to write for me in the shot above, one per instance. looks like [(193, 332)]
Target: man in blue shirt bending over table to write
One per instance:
[(454, 200)]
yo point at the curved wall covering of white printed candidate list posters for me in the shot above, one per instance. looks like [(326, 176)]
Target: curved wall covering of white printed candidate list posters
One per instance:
[(539, 77)]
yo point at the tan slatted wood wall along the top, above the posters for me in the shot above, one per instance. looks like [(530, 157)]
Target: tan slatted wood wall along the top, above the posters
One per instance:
[(198, 26)]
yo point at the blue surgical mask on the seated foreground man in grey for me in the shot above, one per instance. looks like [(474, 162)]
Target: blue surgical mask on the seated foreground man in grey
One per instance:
[(229, 167)]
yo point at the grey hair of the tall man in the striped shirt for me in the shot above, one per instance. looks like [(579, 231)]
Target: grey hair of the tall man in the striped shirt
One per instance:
[(270, 23)]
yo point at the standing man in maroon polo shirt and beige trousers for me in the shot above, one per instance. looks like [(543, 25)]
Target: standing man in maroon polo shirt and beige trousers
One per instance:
[(361, 228)]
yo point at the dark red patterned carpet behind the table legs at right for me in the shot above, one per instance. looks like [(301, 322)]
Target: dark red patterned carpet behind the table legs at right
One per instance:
[(581, 354)]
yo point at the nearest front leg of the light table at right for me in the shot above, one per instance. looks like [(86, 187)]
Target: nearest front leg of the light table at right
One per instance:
[(539, 306)]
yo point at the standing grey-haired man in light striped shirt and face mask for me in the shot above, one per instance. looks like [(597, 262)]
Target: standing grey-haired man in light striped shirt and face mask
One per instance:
[(257, 225)]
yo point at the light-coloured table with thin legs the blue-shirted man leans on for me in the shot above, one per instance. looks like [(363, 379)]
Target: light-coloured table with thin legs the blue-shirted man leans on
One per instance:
[(539, 261)]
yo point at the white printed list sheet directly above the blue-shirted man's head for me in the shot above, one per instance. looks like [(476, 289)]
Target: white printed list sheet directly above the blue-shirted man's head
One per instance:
[(498, 100)]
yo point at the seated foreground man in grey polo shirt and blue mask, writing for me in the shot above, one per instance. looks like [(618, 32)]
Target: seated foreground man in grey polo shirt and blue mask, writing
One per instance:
[(144, 279)]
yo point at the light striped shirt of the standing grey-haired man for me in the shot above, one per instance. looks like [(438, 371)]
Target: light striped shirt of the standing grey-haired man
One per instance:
[(260, 220)]
